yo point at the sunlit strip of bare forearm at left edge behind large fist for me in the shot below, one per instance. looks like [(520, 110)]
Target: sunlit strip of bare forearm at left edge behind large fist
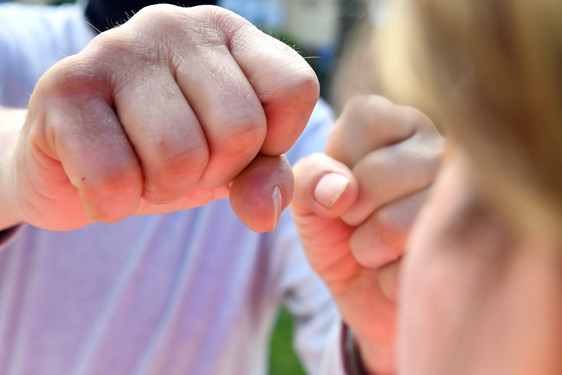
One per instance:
[(11, 123)]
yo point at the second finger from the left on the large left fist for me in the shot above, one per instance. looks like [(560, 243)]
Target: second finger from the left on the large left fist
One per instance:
[(166, 134)]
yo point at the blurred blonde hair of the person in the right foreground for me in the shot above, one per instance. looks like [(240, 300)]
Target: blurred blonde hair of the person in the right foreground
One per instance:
[(490, 73)]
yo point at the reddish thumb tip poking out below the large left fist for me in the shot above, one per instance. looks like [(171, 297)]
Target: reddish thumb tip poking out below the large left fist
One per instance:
[(262, 191)]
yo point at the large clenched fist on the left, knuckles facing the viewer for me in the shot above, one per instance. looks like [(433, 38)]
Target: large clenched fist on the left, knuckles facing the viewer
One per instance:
[(162, 113)]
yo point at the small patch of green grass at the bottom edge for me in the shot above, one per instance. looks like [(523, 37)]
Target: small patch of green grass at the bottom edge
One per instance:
[(283, 360)]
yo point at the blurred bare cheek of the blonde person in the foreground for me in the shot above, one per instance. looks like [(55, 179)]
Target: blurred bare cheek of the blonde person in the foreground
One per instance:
[(479, 295)]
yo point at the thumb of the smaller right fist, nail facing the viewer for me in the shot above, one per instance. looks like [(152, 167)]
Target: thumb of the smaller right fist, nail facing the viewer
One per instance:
[(323, 186)]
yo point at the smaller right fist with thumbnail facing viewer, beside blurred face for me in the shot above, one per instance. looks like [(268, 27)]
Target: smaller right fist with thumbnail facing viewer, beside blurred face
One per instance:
[(354, 207)]
